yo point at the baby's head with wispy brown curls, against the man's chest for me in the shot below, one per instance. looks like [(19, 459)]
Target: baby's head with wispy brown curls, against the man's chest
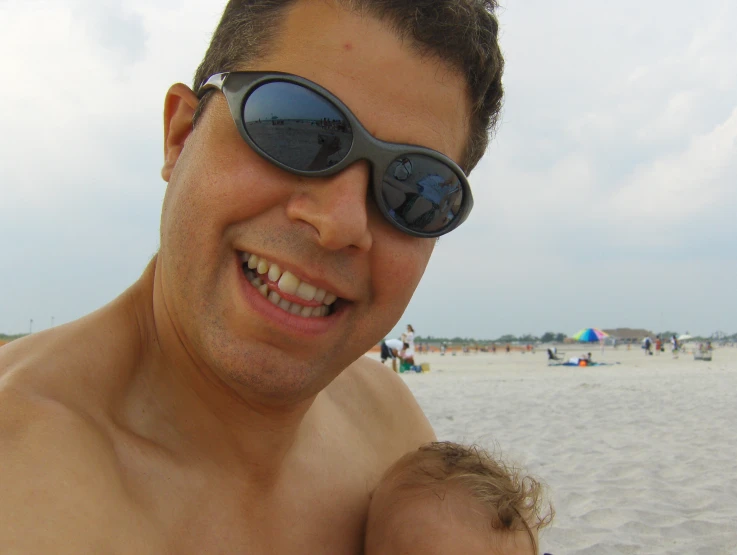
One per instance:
[(447, 498)]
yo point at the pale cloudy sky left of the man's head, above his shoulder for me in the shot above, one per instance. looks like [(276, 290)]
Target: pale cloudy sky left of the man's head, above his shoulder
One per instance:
[(81, 146)]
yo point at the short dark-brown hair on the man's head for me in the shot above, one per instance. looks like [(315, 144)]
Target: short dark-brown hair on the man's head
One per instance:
[(462, 33)]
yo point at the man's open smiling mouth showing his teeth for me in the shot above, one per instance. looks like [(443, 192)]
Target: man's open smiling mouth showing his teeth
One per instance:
[(286, 290)]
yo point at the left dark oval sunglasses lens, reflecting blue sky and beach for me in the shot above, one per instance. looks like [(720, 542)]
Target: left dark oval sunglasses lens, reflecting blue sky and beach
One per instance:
[(296, 126)]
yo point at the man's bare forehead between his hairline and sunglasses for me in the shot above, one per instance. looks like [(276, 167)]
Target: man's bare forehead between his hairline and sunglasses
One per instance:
[(399, 95)]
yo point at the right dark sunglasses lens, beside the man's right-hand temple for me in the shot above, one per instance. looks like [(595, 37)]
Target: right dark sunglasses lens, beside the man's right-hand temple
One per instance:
[(422, 194)]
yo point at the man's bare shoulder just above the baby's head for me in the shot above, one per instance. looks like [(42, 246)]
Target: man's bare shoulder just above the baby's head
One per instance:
[(382, 405)]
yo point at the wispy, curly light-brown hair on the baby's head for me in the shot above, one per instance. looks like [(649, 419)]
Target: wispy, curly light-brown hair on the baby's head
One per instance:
[(514, 502)]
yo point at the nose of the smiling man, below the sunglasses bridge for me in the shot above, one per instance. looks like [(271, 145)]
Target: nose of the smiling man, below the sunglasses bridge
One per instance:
[(336, 207)]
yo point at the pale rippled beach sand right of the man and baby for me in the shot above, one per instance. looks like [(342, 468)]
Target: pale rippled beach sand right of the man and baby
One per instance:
[(640, 457)]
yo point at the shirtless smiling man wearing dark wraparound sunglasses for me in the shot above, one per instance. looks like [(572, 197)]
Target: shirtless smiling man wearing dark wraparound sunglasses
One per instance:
[(220, 404)]
